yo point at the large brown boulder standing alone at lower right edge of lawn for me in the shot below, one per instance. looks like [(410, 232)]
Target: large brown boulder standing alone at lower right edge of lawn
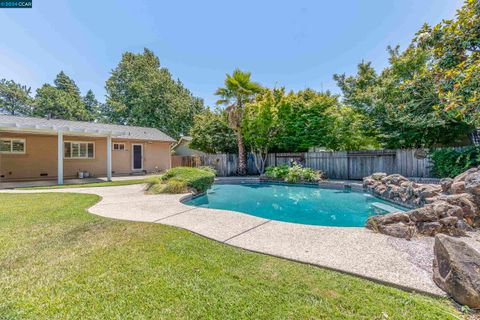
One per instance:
[(456, 270)]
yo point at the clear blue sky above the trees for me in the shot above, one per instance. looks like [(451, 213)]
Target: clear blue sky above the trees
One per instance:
[(295, 44)]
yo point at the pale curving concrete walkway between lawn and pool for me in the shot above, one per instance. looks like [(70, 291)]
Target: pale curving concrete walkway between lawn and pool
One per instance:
[(358, 251)]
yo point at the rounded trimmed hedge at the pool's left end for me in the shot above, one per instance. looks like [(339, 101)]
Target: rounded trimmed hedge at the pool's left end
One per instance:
[(182, 179)]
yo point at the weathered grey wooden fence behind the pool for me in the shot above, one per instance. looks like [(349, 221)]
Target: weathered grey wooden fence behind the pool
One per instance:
[(349, 165)]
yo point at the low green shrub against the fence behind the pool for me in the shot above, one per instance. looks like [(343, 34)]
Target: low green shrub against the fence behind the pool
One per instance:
[(295, 173)]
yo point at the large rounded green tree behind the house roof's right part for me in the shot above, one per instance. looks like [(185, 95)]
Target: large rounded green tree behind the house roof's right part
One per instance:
[(142, 93)]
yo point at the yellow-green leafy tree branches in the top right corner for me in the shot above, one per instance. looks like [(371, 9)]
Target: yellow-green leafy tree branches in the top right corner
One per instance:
[(455, 60)]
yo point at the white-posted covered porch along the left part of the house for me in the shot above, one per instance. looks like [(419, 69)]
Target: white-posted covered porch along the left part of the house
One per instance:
[(44, 146)]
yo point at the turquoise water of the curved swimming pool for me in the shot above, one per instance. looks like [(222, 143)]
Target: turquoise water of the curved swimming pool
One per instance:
[(298, 204)]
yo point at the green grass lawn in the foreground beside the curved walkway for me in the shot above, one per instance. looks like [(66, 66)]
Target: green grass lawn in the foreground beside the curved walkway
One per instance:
[(59, 262)]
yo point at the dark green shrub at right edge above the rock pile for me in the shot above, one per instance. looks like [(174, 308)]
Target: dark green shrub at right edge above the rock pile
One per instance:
[(450, 162)]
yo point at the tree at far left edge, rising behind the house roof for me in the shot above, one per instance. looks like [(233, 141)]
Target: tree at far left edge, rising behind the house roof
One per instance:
[(15, 98)]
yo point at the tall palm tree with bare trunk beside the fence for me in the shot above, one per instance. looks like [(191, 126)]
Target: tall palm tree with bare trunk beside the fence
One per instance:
[(238, 91)]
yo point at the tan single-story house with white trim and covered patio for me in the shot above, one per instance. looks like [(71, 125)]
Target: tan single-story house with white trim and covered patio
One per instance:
[(39, 149)]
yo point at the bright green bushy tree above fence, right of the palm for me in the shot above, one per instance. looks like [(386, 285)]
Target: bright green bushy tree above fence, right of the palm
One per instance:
[(308, 118)]
